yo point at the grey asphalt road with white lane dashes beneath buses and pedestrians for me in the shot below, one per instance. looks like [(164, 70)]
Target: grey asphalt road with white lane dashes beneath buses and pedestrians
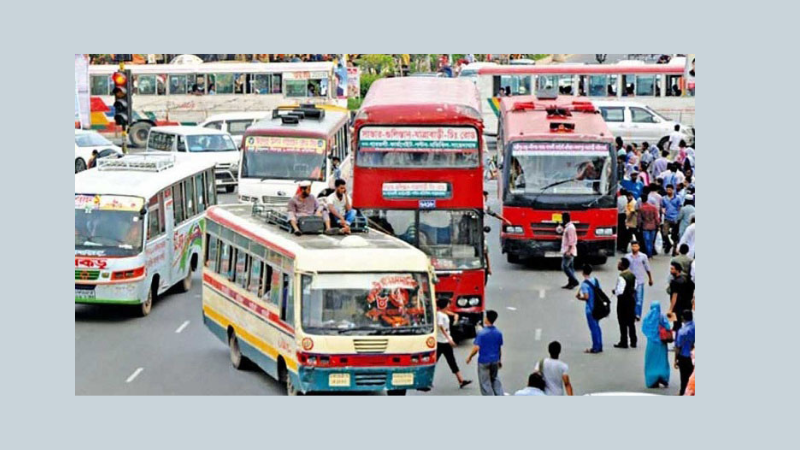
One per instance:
[(177, 355)]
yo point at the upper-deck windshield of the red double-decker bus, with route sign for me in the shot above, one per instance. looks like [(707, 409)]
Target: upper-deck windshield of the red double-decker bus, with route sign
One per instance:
[(418, 147)]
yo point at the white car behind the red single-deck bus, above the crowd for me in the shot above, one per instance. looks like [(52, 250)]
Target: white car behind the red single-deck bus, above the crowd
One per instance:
[(637, 122)]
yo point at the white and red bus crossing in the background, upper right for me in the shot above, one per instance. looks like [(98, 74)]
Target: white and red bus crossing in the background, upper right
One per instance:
[(662, 87)]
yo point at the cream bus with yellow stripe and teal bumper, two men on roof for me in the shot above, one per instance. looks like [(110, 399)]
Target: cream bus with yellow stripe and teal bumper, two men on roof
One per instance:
[(317, 312)]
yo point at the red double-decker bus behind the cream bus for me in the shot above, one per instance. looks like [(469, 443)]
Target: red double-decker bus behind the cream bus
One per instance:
[(418, 175)]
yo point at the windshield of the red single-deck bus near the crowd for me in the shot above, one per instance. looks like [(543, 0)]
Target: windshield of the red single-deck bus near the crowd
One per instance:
[(559, 168)]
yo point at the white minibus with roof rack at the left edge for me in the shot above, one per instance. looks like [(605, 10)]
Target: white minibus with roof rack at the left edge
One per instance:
[(139, 223)]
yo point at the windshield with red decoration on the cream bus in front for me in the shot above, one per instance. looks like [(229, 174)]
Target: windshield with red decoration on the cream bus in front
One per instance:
[(367, 304)]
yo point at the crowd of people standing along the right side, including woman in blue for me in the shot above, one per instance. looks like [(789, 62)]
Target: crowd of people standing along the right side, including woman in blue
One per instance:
[(657, 194)]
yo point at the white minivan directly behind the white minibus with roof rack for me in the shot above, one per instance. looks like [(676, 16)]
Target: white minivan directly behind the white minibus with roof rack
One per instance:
[(207, 144)]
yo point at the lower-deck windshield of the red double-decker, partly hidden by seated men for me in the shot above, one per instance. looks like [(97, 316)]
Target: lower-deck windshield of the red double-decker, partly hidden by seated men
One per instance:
[(452, 238)]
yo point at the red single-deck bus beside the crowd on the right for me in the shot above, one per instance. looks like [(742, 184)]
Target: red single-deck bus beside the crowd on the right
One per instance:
[(558, 156)]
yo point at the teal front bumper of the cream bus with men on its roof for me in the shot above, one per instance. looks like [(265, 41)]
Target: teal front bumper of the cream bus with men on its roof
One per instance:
[(365, 379)]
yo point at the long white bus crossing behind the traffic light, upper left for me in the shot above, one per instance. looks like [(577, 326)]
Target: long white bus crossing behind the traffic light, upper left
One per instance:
[(187, 94)]
